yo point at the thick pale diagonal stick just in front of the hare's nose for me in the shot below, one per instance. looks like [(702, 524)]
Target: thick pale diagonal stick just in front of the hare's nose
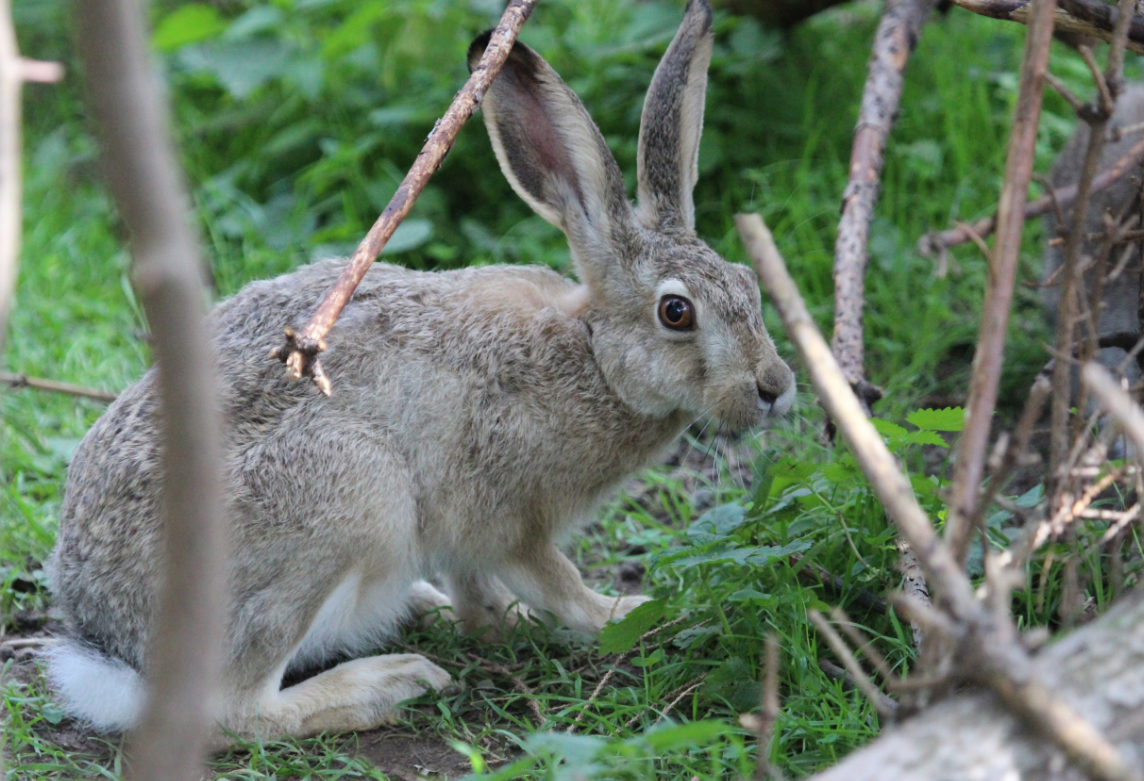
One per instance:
[(987, 650)]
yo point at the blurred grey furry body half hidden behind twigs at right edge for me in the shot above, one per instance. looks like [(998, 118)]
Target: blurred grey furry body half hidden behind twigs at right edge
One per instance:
[(1121, 301)]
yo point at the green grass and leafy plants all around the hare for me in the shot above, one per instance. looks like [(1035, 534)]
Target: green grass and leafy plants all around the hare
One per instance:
[(300, 160)]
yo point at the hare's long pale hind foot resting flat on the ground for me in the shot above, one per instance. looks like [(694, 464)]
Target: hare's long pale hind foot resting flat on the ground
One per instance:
[(360, 695)]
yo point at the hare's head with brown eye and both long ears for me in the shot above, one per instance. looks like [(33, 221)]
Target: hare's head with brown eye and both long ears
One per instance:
[(676, 328)]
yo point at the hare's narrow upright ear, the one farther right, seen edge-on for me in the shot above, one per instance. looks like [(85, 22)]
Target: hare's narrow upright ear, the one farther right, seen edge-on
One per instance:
[(672, 123)]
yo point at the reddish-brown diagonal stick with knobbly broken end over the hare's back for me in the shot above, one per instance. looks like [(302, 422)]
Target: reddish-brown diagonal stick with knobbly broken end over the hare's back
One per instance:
[(300, 354)]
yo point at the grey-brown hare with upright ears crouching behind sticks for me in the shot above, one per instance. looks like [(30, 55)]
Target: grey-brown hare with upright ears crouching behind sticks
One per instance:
[(478, 420)]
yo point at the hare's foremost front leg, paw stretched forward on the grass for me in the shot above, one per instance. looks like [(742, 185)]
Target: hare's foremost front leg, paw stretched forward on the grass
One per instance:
[(547, 581)]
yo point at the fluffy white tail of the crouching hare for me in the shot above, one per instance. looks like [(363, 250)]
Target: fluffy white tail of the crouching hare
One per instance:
[(104, 692)]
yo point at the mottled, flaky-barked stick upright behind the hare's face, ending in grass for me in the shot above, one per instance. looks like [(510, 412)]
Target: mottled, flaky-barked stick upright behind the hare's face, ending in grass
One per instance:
[(897, 34)]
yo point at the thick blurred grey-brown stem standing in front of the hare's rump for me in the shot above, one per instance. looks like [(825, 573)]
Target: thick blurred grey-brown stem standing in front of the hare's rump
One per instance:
[(186, 641)]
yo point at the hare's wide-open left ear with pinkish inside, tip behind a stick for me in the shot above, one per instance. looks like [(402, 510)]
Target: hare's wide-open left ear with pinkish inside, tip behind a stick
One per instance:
[(555, 158)]
